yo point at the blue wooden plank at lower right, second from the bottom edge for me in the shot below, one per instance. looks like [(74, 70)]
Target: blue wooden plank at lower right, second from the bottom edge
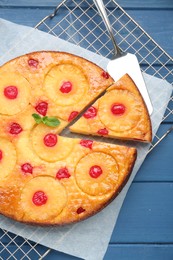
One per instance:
[(147, 215)]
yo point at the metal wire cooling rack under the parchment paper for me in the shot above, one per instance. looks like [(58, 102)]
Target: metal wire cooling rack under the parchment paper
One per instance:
[(78, 22)]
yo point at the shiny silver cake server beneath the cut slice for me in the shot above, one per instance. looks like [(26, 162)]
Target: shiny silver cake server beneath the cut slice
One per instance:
[(122, 62)]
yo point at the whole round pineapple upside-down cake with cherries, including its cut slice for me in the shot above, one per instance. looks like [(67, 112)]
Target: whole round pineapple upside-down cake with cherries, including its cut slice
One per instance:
[(46, 178)]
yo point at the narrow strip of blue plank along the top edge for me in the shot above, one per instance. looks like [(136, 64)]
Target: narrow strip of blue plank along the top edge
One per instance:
[(124, 3)]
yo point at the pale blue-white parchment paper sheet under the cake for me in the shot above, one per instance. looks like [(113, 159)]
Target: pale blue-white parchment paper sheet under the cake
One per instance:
[(88, 239)]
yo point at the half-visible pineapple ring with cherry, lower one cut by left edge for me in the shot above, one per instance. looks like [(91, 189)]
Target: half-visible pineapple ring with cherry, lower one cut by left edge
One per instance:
[(7, 158)]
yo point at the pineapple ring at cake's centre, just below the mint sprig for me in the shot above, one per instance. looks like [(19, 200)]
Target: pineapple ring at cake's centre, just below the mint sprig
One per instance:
[(47, 153)]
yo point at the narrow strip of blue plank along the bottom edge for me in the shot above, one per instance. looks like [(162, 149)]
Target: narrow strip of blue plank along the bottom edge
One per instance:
[(114, 251)]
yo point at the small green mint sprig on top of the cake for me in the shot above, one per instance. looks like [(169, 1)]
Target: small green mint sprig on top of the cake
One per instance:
[(49, 121)]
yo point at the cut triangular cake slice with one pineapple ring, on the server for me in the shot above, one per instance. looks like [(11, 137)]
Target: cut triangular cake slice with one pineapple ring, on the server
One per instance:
[(120, 113)]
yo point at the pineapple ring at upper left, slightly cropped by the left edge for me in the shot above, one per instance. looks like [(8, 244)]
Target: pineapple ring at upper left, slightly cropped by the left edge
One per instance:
[(16, 105)]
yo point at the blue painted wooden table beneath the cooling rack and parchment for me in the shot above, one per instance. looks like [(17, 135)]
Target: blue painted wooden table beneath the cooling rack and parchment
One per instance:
[(145, 225)]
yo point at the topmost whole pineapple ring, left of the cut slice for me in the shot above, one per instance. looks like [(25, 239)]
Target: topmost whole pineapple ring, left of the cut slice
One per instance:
[(65, 73)]
